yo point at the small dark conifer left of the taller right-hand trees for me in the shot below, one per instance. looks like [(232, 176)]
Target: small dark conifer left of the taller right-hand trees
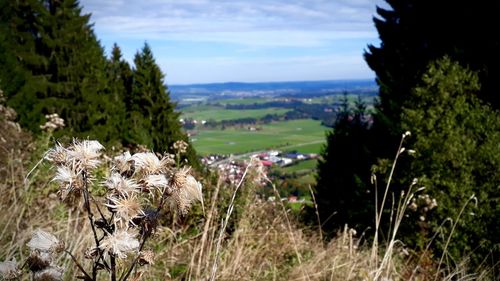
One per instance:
[(342, 192)]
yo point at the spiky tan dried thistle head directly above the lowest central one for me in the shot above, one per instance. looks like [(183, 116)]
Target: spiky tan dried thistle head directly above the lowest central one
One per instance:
[(125, 209)]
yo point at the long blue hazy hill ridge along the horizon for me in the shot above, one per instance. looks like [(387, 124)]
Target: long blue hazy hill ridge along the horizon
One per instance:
[(271, 89)]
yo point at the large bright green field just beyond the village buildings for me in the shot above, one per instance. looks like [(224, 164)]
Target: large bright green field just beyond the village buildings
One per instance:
[(305, 136)]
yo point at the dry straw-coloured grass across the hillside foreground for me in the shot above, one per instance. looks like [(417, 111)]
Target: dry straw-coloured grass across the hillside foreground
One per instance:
[(262, 244)]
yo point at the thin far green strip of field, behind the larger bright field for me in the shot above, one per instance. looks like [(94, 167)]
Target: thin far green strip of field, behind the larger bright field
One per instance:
[(219, 114)]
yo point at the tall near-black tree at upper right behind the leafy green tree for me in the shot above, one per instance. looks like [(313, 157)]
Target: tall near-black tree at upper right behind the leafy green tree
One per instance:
[(417, 32)]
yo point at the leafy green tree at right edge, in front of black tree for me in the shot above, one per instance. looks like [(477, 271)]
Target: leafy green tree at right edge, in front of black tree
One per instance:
[(457, 140)]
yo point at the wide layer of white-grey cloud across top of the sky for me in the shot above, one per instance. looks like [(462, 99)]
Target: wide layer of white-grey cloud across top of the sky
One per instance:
[(235, 21)]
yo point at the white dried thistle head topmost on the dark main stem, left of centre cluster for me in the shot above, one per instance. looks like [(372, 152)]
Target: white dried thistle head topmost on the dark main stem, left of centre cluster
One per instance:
[(86, 153)]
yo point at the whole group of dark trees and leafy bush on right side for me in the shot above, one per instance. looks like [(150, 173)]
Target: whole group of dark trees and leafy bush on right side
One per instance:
[(438, 71)]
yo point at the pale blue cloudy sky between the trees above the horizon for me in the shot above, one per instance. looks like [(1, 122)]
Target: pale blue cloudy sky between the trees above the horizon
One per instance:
[(209, 41)]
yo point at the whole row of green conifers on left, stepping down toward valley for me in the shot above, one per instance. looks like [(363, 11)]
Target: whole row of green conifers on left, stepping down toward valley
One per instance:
[(52, 62)]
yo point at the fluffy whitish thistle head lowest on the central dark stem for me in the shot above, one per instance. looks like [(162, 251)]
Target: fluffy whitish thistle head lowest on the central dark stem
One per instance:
[(119, 243)]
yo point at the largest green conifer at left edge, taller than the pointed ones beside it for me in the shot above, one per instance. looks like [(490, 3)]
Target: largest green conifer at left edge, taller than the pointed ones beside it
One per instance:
[(62, 68)]
